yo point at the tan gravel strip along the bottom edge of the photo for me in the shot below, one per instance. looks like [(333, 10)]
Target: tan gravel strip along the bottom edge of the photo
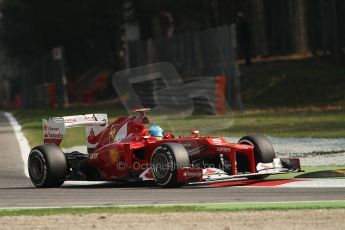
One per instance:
[(292, 219)]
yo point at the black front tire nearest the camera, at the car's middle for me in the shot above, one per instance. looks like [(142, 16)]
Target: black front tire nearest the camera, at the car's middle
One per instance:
[(165, 162)]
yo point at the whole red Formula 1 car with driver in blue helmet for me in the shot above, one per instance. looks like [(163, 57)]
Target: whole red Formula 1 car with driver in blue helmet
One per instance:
[(124, 151)]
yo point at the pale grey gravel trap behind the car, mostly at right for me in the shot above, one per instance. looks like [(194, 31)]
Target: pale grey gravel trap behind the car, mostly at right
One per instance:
[(311, 151)]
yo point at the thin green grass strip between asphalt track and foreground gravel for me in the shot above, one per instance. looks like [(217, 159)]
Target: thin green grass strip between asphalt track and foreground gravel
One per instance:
[(156, 209)]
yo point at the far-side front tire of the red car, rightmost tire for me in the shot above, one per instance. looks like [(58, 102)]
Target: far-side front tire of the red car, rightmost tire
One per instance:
[(263, 150)]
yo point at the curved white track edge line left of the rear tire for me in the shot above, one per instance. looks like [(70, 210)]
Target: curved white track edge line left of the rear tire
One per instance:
[(22, 141)]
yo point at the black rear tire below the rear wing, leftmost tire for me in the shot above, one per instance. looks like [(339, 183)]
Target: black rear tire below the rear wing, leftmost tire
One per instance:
[(47, 166)]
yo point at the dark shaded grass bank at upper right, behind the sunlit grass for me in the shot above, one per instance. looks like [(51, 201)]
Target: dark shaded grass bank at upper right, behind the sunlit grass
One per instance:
[(293, 83)]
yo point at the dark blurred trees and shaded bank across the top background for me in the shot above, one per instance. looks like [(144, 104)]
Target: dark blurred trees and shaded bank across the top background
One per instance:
[(93, 36)]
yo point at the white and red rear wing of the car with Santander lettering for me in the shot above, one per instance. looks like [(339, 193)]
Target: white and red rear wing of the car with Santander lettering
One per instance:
[(54, 128)]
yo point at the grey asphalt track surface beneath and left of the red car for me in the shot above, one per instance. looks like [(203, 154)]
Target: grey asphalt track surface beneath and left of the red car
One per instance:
[(16, 189)]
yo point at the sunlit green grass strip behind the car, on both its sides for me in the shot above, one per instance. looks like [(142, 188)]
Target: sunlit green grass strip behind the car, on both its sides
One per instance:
[(280, 123)]
